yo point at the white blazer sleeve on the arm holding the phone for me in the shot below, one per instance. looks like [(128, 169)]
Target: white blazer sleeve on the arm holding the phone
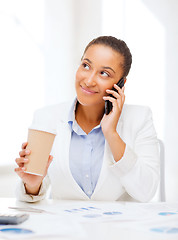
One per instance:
[(138, 169)]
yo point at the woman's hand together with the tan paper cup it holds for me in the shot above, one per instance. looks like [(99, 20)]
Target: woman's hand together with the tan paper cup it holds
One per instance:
[(35, 159)]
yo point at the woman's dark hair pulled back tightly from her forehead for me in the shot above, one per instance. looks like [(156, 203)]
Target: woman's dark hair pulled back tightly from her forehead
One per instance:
[(117, 45)]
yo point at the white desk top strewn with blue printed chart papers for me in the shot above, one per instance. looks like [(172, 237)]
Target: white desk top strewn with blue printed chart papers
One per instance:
[(88, 220)]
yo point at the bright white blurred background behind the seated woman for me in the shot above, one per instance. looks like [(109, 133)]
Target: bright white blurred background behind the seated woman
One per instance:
[(41, 45)]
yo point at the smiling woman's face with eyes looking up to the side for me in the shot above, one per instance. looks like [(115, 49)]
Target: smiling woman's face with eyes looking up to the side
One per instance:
[(100, 68)]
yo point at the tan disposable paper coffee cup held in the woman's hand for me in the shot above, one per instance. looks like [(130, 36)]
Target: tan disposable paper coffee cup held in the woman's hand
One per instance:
[(40, 144)]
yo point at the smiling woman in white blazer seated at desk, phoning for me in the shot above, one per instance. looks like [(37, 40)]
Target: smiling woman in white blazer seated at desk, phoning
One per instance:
[(97, 156)]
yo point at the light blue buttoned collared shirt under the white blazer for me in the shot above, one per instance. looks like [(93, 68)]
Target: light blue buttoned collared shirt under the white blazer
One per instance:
[(86, 154)]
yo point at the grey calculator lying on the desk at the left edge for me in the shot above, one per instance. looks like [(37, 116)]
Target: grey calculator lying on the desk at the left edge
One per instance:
[(13, 218)]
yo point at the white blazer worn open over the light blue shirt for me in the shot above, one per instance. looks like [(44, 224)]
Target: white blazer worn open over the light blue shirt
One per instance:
[(134, 178)]
